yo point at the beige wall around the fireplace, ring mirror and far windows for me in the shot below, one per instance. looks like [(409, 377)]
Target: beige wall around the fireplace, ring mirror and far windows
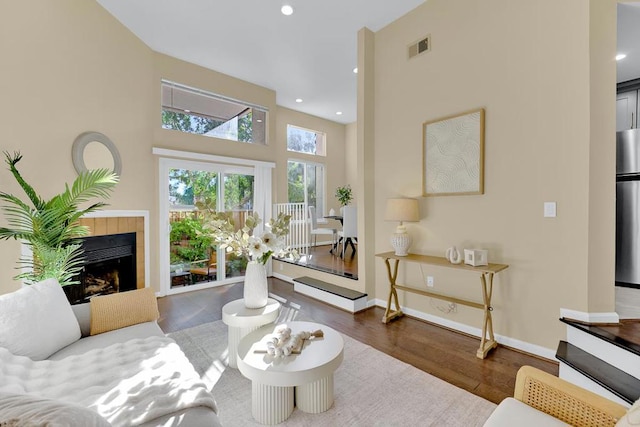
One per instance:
[(75, 68)]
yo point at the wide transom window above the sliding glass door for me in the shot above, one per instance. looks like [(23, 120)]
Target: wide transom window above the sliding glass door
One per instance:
[(203, 113)]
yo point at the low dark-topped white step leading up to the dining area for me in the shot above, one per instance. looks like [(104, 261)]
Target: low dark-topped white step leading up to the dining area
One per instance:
[(346, 299)]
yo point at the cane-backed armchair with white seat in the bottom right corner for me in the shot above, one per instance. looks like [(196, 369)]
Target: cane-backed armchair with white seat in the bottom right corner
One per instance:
[(543, 400)]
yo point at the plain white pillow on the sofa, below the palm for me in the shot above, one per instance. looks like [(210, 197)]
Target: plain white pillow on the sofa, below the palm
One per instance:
[(37, 320)]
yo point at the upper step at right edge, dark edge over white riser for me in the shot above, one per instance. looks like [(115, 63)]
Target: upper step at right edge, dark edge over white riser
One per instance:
[(605, 345)]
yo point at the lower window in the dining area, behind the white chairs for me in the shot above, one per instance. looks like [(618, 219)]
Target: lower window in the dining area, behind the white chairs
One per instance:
[(307, 184)]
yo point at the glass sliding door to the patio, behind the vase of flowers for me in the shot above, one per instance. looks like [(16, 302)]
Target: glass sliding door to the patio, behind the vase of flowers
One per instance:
[(192, 188)]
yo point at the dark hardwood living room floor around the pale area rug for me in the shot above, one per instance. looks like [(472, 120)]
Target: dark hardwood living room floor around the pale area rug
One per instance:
[(443, 353)]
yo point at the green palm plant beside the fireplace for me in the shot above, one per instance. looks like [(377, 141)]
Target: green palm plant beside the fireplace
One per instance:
[(50, 227)]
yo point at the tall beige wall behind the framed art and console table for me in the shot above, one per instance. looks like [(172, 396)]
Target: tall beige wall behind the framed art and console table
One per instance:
[(541, 79)]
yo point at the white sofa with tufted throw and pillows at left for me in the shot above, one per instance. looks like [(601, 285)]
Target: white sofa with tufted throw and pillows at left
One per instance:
[(119, 350)]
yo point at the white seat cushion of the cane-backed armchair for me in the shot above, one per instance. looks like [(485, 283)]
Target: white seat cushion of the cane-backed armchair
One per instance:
[(512, 412)]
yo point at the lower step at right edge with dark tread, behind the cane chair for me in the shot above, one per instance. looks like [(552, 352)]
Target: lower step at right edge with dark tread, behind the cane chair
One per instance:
[(620, 384)]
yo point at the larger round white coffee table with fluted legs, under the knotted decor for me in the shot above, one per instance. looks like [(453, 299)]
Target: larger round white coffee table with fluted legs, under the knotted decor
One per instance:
[(275, 380)]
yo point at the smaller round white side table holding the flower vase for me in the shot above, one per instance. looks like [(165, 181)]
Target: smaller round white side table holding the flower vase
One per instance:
[(242, 320)]
